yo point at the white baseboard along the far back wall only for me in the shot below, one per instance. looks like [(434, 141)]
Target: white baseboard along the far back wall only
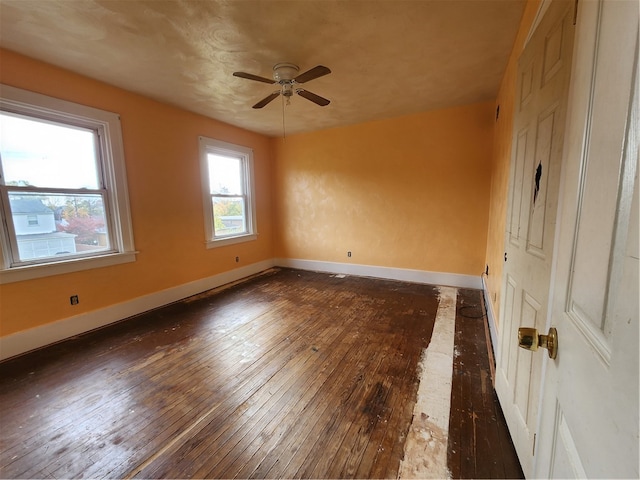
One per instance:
[(403, 274)]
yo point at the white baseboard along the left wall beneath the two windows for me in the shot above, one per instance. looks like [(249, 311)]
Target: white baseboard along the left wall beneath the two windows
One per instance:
[(27, 340)]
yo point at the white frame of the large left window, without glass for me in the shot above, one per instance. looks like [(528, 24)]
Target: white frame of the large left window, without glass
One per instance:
[(107, 125)]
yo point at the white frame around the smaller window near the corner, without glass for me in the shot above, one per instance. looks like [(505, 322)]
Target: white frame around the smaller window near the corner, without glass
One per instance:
[(245, 154)]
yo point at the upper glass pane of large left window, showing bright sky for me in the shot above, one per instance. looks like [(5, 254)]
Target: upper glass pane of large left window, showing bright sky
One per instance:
[(42, 154)]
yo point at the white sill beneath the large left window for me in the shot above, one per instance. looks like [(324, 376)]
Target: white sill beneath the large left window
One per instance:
[(30, 272)]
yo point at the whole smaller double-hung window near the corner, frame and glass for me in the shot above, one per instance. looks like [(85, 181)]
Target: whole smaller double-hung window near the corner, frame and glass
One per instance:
[(227, 190)]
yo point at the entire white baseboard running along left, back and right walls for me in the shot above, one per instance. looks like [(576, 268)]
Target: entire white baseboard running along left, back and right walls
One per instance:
[(27, 340)]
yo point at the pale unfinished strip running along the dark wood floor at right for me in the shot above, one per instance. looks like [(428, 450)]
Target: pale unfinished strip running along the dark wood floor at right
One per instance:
[(425, 451)]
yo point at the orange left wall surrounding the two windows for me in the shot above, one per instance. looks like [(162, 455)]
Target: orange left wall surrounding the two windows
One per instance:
[(161, 152)]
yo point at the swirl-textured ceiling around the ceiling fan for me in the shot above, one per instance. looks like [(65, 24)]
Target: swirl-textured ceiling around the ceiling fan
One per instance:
[(388, 57)]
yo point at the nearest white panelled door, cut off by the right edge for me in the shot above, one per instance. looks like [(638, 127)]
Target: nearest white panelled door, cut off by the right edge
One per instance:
[(589, 412)]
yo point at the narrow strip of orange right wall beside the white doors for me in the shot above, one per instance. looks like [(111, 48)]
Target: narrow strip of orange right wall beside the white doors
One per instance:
[(501, 160)]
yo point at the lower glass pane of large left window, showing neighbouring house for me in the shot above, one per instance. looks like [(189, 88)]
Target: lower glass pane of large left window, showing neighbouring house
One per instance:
[(56, 225)]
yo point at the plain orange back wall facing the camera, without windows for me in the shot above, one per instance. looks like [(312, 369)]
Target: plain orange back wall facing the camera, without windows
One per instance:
[(410, 192)]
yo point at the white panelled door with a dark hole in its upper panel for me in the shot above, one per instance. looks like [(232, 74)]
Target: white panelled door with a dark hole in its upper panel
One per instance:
[(539, 121)]
